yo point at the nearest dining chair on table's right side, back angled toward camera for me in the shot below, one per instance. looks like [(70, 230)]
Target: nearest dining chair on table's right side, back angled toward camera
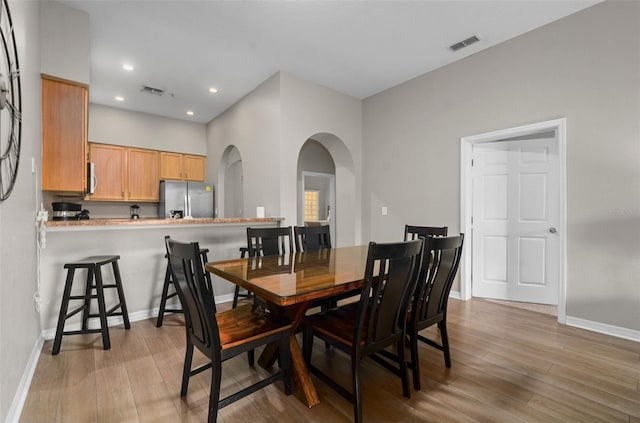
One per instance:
[(375, 322)]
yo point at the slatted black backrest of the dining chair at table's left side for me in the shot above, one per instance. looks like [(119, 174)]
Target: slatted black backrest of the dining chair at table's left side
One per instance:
[(197, 301)]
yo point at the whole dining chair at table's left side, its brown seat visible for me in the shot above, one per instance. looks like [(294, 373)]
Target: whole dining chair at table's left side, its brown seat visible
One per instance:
[(221, 336)]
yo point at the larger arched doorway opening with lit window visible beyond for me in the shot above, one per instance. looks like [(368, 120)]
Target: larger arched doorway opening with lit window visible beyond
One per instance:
[(316, 186)]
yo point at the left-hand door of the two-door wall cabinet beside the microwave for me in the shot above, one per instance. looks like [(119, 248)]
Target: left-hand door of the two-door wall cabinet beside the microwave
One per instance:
[(109, 166)]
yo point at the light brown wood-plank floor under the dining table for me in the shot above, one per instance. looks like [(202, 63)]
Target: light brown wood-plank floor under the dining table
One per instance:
[(509, 365)]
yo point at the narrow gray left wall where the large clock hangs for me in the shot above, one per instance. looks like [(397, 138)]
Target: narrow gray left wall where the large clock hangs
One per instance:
[(19, 328)]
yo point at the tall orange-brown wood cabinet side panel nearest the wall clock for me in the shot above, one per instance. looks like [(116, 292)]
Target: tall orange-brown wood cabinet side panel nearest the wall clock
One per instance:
[(64, 136)]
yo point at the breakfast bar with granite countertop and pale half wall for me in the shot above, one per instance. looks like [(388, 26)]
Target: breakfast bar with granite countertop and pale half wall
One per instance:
[(140, 245)]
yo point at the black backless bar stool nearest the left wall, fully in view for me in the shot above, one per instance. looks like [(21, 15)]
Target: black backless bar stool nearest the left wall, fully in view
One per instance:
[(93, 282)]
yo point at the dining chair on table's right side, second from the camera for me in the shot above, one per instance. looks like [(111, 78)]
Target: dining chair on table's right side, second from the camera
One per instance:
[(429, 304)]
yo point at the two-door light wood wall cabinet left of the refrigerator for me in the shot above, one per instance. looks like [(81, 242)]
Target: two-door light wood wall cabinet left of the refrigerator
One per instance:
[(125, 174)]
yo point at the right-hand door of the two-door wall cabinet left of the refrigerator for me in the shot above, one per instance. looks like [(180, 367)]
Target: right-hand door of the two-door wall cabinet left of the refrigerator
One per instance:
[(143, 177)]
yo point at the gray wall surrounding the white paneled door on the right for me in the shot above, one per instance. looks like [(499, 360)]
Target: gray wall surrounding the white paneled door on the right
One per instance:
[(585, 67)]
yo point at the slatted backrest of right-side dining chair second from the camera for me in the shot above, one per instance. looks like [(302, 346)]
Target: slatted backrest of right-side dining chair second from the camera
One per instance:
[(439, 268)]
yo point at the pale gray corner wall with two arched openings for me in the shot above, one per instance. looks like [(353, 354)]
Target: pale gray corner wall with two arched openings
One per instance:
[(269, 127)]
